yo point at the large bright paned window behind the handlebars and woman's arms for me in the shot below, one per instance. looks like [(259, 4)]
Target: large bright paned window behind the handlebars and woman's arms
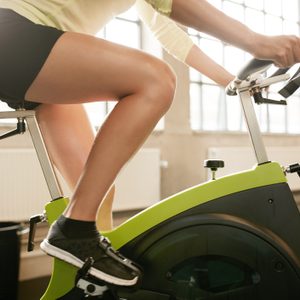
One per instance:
[(210, 108)]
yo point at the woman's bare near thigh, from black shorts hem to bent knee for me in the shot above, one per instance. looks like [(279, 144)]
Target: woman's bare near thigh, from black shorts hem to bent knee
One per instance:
[(82, 68)]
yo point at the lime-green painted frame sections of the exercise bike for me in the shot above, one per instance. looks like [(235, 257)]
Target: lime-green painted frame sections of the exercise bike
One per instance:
[(63, 275)]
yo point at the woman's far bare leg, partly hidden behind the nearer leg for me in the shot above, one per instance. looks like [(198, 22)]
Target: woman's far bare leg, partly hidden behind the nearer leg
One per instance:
[(69, 137)]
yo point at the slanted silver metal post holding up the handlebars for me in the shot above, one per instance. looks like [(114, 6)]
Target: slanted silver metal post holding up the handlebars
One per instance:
[(253, 127)]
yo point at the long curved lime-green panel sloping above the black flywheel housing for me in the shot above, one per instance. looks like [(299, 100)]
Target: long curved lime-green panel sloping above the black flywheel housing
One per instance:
[(262, 175)]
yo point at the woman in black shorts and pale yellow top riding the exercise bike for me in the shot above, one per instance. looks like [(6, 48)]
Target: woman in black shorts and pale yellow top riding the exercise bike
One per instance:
[(52, 63)]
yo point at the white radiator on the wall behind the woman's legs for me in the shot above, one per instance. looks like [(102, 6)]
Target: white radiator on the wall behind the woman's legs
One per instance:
[(23, 190)]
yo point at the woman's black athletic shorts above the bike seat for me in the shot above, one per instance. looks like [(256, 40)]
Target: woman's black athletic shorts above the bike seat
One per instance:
[(24, 48)]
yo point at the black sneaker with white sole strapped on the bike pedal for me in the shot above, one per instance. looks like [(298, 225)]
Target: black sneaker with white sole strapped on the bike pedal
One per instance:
[(109, 265)]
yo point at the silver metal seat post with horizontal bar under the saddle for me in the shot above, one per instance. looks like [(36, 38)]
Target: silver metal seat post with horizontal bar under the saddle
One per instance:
[(40, 148)]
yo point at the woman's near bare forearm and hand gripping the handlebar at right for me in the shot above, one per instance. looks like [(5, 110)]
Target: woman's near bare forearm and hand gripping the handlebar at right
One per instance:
[(200, 15)]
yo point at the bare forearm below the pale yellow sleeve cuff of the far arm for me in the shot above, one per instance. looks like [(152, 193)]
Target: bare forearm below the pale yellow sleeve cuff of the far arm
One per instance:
[(205, 65)]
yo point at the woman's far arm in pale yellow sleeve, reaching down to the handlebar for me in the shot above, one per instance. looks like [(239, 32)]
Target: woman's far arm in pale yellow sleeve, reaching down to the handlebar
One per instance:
[(177, 42)]
